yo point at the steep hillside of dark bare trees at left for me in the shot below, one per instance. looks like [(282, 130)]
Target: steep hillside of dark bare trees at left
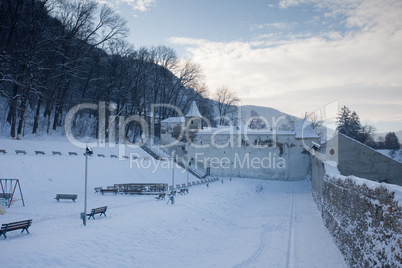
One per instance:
[(57, 54)]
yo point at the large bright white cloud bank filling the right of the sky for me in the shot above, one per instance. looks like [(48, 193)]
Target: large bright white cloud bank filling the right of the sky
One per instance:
[(293, 70)]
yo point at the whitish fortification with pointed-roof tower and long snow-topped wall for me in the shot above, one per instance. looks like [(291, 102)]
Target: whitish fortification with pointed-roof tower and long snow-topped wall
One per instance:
[(239, 151)]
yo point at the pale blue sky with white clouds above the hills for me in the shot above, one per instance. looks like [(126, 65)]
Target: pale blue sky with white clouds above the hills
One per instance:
[(293, 55)]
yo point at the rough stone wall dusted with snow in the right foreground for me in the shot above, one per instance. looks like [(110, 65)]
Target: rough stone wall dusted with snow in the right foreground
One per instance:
[(364, 218)]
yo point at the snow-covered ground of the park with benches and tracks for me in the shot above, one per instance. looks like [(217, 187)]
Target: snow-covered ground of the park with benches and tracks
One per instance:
[(237, 223)]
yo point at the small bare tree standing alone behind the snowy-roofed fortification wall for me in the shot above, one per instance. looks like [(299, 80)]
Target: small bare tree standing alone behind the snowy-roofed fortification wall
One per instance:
[(227, 102)]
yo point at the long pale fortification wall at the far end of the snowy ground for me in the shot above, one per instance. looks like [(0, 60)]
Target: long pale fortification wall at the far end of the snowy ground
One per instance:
[(272, 157)]
